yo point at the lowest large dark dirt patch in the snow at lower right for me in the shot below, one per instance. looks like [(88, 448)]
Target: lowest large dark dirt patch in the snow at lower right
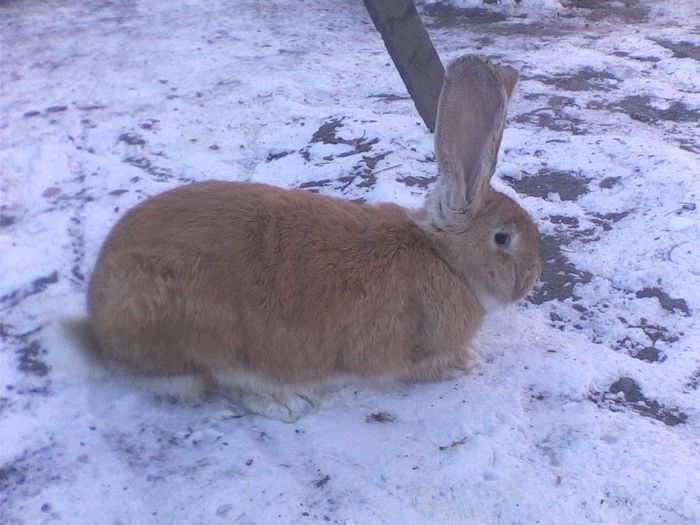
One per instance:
[(632, 398)]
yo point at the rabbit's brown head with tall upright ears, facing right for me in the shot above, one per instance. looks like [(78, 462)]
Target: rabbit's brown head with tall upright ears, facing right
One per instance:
[(485, 237)]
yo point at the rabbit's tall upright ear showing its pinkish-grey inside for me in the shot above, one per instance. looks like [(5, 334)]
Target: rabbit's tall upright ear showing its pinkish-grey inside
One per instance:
[(470, 120)]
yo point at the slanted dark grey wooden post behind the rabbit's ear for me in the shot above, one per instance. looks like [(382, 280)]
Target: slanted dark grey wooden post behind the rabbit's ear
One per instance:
[(413, 53)]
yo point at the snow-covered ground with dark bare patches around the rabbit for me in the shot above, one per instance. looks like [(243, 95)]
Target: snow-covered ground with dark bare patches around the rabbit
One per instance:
[(585, 407)]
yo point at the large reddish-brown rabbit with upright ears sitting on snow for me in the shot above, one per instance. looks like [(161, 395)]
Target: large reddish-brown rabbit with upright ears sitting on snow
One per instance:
[(271, 295)]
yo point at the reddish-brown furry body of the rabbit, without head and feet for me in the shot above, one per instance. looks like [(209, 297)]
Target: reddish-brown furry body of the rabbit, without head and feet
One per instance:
[(286, 284)]
